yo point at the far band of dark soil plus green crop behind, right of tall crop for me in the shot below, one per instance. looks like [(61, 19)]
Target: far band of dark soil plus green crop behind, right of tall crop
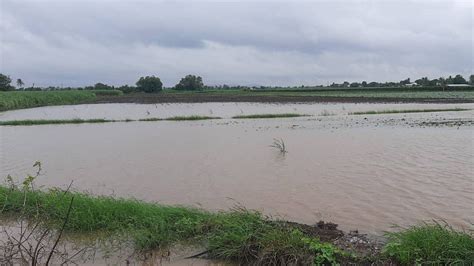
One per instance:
[(295, 97)]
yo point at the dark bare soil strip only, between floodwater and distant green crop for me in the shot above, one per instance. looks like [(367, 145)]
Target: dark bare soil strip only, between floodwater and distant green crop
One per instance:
[(207, 97)]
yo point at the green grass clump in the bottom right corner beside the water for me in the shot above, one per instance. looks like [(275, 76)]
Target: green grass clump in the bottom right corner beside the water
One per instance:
[(433, 244)]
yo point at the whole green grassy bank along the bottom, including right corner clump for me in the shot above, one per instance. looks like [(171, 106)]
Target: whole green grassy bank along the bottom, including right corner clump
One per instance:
[(237, 235)]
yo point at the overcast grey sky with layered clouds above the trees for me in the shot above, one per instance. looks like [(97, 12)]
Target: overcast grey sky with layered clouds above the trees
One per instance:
[(276, 43)]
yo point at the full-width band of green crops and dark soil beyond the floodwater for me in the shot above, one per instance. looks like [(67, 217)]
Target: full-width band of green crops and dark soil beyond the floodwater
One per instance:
[(27, 99)]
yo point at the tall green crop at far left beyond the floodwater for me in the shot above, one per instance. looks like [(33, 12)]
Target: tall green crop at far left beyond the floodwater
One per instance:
[(27, 99)]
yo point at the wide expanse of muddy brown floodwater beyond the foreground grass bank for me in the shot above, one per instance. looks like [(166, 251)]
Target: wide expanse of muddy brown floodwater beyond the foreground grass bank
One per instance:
[(365, 172)]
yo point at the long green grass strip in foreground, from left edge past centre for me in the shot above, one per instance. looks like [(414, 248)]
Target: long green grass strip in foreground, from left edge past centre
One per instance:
[(239, 234)]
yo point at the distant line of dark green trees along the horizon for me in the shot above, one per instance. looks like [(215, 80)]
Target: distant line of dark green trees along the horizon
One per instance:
[(153, 84)]
